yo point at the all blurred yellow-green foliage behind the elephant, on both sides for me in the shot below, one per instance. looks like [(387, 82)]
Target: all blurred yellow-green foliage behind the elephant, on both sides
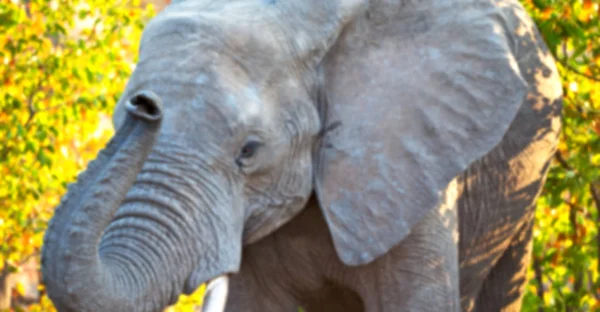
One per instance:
[(64, 63)]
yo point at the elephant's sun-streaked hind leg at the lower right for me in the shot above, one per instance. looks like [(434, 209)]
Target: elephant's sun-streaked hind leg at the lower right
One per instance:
[(503, 288)]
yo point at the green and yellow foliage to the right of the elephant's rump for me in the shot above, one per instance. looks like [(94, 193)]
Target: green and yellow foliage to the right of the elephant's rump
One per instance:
[(564, 272)]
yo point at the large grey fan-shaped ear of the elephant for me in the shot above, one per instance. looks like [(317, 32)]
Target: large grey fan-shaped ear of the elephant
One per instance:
[(417, 95)]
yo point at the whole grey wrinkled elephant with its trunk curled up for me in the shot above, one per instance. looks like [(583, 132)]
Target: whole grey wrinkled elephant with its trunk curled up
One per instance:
[(341, 155)]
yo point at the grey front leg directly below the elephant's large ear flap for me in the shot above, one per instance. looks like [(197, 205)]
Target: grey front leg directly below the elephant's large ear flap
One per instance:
[(421, 273)]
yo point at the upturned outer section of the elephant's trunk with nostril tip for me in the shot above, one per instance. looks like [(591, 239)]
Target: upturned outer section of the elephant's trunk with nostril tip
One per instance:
[(77, 276)]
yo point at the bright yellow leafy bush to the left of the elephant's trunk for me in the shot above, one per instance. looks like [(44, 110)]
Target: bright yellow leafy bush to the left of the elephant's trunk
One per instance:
[(64, 65)]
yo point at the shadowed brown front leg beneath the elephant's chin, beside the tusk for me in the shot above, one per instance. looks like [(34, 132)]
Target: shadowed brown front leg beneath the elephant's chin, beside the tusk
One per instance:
[(284, 270)]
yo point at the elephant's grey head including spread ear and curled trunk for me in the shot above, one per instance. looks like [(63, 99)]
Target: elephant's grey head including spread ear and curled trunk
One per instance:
[(238, 110)]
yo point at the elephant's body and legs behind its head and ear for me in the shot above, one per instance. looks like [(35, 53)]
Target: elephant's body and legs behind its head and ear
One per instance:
[(496, 197)]
